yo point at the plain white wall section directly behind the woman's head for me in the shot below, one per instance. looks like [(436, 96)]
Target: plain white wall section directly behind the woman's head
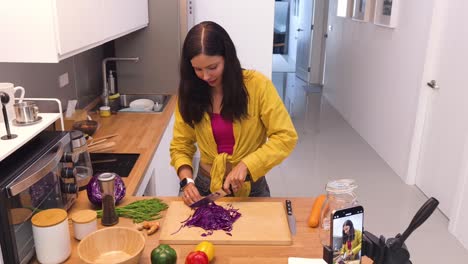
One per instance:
[(249, 24)]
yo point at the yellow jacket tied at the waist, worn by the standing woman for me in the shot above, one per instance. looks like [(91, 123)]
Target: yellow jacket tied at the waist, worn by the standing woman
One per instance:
[(267, 118)]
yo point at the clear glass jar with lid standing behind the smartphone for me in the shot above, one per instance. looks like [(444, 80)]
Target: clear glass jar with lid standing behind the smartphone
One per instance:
[(340, 195)]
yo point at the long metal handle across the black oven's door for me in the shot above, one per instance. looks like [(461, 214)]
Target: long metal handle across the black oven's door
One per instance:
[(37, 171)]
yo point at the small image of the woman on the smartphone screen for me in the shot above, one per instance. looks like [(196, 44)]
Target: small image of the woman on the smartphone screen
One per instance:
[(352, 242)]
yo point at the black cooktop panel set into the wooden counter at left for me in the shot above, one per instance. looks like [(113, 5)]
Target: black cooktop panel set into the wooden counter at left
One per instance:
[(119, 163)]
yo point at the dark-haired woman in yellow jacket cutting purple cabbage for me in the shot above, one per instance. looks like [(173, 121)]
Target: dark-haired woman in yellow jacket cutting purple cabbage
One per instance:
[(229, 113)]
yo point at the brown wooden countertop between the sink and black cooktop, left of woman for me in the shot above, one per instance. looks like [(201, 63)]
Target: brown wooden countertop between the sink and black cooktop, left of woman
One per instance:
[(137, 133)]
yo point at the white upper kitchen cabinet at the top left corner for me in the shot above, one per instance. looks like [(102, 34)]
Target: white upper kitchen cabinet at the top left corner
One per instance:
[(52, 30)]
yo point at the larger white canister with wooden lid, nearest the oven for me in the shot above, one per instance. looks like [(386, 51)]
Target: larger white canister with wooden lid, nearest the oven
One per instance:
[(51, 235)]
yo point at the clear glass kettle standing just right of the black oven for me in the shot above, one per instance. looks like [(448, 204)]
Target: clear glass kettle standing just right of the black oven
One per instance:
[(83, 167)]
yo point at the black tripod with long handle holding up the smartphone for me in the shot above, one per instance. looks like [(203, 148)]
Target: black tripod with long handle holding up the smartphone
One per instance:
[(392, 250)]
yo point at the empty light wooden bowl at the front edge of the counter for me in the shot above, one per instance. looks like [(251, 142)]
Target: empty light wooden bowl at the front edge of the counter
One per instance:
[(112, 245)]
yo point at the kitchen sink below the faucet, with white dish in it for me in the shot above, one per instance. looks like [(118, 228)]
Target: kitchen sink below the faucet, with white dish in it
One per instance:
[(160, 101)]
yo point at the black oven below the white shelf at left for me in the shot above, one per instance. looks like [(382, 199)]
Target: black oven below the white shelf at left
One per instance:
[(38, 176)]
